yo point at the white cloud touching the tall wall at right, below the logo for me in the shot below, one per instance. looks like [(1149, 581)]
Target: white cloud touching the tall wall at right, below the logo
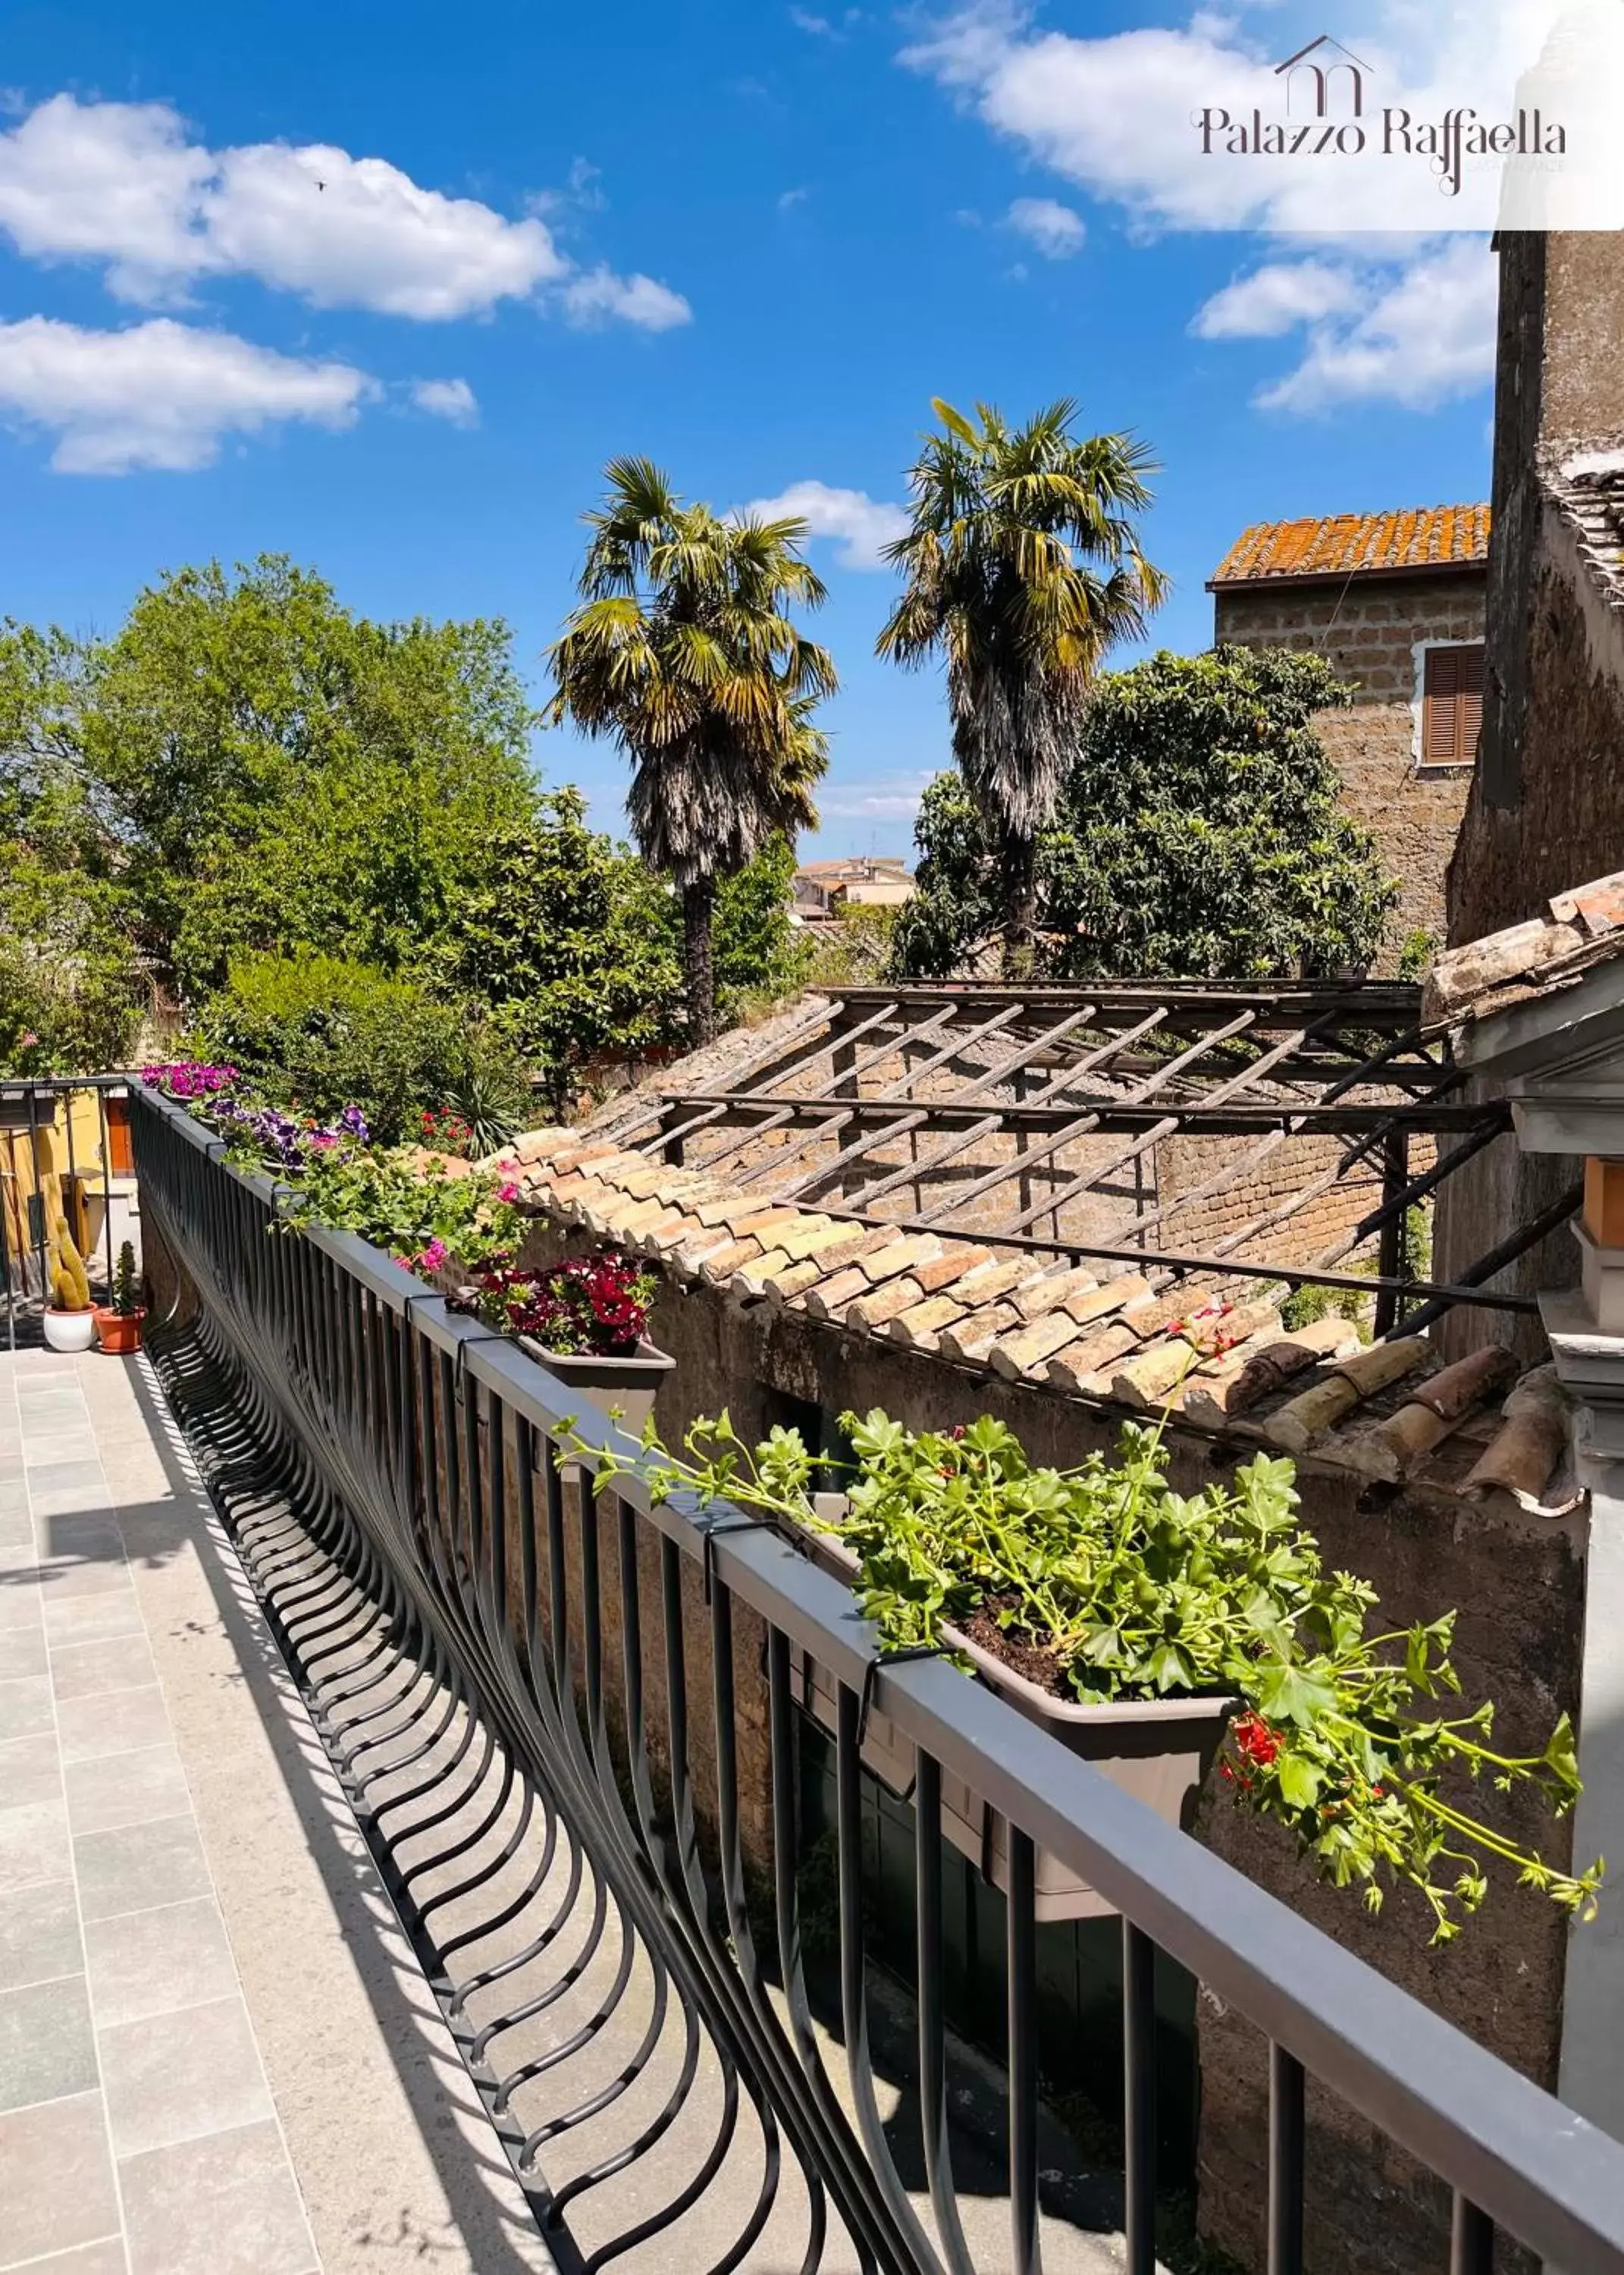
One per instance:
[(1425, 338)]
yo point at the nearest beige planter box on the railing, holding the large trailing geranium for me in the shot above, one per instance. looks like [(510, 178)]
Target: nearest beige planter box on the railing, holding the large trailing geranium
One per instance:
[(1159, 1751)]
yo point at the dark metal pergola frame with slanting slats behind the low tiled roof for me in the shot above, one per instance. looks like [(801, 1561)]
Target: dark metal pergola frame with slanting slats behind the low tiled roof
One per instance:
[(1050, 1066)]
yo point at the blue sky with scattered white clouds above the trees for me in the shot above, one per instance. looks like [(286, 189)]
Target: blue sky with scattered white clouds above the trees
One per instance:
[(747, 240)]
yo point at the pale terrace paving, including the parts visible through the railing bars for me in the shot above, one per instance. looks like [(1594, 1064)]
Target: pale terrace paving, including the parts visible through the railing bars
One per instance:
[(217, 2051)]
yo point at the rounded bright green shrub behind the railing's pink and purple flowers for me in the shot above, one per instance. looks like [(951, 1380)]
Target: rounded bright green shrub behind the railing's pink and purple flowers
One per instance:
[(329, 1034)]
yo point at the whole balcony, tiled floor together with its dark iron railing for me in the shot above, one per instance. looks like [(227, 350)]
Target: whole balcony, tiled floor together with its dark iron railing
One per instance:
[(404, 1869)]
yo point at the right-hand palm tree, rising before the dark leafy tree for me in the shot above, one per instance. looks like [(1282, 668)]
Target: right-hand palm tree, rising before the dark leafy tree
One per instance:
[(1022, 570)]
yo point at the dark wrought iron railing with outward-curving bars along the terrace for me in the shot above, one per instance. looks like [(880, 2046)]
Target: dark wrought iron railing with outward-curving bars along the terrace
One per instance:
[(570, 1732)]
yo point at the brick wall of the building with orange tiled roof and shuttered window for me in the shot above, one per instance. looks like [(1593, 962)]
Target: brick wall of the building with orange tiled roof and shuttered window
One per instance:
[(1368, 634)]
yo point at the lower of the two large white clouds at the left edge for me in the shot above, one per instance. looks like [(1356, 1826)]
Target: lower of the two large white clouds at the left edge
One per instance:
[(160, 392)]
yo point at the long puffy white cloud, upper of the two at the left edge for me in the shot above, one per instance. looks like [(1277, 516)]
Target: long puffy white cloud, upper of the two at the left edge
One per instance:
[(124, 185)]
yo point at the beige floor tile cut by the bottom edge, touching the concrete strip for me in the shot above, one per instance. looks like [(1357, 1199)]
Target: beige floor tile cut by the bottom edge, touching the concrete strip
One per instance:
[(224, 2206)]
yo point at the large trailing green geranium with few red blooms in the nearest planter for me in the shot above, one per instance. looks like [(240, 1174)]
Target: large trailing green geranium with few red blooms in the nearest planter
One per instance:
[(1104, 1585)]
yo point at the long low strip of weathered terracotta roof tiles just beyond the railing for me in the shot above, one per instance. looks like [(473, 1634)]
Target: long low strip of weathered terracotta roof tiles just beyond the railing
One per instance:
[(1225, 1366)]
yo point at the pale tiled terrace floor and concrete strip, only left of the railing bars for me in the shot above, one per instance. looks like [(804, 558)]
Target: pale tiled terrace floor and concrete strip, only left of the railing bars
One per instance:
[(217, 2053)]
